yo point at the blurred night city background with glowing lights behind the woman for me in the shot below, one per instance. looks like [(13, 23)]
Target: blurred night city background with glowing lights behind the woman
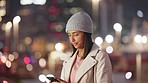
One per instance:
[(34, 44)]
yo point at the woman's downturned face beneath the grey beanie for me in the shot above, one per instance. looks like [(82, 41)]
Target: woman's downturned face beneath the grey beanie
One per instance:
[(76, 38)]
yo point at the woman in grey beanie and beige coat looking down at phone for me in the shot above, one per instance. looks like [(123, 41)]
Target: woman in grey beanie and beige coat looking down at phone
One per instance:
[(87, 64)]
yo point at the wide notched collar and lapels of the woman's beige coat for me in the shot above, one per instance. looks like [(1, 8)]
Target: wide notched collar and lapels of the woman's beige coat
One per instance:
[(87, 64)]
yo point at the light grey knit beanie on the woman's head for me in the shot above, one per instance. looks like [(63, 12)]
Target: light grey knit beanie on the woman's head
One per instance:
[(80, 21)]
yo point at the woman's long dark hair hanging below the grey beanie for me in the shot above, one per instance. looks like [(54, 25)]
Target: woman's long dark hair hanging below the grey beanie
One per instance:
[(87, 45)]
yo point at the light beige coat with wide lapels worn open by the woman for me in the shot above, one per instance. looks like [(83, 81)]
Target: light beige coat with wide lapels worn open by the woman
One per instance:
[(96, 68)]
